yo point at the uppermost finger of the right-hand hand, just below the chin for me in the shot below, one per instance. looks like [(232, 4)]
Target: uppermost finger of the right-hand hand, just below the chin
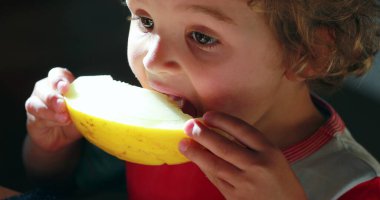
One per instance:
[(242, 131)]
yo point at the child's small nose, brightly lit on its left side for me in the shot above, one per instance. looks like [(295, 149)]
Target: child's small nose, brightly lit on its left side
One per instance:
[(161, 56)]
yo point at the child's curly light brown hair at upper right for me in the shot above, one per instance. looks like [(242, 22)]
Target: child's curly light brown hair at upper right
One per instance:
[(336, 38)]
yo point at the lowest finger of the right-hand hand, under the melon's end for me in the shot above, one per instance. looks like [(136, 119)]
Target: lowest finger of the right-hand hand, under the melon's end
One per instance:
[(207, 161)]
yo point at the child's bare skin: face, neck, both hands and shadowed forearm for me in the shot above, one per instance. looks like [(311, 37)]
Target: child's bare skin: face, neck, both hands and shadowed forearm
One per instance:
[(222, 58)]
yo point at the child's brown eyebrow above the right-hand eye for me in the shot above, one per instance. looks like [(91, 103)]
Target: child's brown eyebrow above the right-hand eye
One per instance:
[(215, 13)]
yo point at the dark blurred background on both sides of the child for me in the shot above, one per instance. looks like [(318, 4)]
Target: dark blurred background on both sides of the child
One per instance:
[(89, 37)]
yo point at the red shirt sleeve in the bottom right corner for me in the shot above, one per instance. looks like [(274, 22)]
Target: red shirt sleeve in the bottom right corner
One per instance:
[(366, 190)]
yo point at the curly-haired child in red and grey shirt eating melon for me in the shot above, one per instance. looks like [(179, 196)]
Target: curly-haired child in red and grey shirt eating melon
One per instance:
[(247, 68)]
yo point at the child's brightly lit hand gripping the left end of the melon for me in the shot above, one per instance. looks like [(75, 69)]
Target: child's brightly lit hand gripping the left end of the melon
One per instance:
[(48, 121)]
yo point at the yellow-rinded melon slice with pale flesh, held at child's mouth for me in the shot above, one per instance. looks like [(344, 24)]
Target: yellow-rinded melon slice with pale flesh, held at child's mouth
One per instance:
[(132, 123)]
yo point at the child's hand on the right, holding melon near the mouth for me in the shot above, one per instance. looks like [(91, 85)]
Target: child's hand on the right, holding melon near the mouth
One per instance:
[(254, 169)]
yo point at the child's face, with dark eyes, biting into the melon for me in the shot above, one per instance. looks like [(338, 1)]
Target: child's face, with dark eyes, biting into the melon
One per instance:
[(216, 54)]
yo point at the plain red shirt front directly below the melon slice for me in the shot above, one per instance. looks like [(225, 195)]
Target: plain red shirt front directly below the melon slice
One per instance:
[(185, 182)]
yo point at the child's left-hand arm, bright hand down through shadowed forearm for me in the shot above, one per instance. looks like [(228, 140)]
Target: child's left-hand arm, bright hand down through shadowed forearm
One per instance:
[(52, 146)]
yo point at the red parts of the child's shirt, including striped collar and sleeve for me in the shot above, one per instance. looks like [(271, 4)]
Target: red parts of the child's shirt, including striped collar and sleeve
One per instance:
[(188, 182)]
